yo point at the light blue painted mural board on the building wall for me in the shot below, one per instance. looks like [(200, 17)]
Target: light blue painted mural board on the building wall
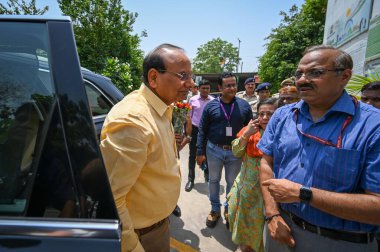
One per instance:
[(345, 20)]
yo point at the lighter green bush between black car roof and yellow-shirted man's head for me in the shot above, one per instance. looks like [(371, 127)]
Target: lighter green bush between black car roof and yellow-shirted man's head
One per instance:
[(120, 75)]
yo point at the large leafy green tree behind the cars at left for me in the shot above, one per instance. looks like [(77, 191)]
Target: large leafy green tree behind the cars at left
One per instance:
[(103, 32)]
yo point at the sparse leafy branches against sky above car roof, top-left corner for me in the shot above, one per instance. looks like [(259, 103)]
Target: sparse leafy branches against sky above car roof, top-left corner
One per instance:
[(23, 8)]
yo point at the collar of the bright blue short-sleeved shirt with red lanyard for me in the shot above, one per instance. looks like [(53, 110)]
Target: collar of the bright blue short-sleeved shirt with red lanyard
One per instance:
[(344, 104)]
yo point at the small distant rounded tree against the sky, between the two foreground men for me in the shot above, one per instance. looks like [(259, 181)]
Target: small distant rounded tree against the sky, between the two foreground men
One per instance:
[(216, 56)]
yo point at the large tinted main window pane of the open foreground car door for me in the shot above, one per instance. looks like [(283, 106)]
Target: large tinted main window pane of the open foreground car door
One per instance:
[(26, 101)]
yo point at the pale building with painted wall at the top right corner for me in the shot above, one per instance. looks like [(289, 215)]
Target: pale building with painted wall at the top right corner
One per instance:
[(354, 26)]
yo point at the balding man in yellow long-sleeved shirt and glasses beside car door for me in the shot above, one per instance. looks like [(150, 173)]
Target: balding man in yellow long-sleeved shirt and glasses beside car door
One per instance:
[(139, 150)]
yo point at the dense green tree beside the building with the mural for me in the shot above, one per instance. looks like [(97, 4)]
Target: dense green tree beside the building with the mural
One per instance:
[(286, 43)]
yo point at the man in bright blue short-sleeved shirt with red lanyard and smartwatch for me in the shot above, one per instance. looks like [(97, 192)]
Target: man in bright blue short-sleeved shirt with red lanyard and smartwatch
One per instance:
[(320, 171)]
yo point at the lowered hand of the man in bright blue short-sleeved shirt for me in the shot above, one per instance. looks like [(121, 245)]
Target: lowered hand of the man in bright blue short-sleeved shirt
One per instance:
[(280, 231)]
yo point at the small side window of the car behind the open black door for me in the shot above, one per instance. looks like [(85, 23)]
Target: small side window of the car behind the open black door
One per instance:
[(99, 103)]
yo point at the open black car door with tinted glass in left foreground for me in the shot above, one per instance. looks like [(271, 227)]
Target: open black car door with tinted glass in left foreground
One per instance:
[(54, 191)]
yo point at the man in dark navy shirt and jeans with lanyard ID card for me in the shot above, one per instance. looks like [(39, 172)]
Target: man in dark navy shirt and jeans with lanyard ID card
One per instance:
[(221, 120)]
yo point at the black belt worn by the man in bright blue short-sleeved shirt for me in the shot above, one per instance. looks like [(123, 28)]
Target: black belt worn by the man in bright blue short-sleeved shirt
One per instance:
[(331, 233)]
